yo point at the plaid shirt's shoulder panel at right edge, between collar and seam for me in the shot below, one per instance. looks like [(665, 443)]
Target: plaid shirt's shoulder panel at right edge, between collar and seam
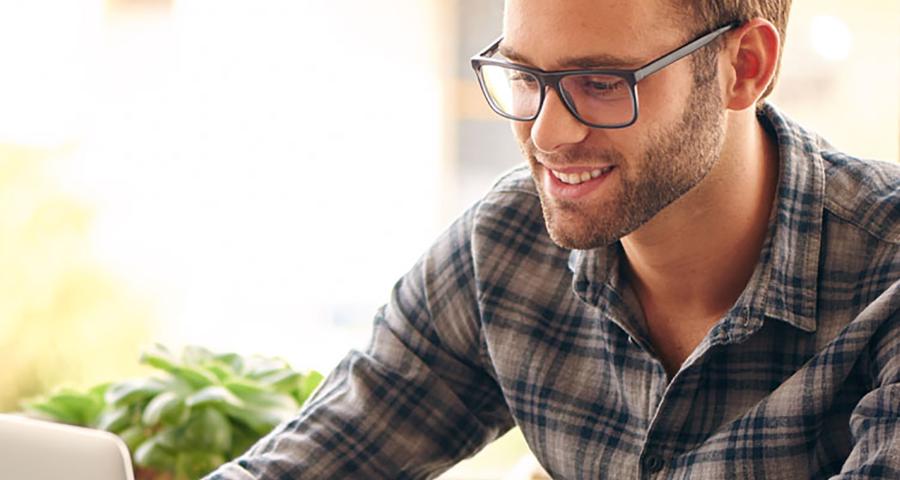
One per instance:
[(865, 193)]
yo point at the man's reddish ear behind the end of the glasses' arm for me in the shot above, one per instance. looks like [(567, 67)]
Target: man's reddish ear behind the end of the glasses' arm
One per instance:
[(750, 60)]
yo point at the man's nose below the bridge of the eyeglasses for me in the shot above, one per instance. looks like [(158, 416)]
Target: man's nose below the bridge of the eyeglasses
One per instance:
[(556, 127)]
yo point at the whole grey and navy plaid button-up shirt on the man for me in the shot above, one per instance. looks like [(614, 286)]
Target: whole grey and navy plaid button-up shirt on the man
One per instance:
[(497, 326)]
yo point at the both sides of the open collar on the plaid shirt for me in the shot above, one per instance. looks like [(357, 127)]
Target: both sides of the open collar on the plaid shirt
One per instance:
[(784, 286)]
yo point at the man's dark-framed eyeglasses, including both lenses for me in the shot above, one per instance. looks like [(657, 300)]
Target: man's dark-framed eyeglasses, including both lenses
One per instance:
[(599, 98)]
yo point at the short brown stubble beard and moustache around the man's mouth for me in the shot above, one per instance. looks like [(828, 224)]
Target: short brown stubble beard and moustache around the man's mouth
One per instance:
[(677, 159)]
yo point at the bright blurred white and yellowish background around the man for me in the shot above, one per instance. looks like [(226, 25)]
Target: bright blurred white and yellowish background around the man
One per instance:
[(253, 176)]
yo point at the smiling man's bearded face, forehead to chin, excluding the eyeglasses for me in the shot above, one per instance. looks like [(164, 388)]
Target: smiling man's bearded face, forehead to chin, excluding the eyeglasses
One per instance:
[(642, 168)]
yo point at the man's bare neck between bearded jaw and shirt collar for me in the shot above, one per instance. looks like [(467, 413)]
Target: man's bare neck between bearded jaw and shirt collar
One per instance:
[(697, 255)]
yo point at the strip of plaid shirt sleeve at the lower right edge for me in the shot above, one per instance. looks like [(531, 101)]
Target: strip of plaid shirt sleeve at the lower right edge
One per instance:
[(875, 422)]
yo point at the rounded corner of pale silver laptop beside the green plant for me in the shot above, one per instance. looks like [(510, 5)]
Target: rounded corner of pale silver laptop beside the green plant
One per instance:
[(38, 450)]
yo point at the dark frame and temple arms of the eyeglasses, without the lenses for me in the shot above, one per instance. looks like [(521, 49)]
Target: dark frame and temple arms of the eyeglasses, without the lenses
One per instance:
[(553, 78)]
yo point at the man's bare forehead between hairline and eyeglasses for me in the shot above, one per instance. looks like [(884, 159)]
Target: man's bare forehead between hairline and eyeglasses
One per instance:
[(546, 33)]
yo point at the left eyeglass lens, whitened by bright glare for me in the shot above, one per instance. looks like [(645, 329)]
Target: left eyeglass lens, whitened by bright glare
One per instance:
[(515, 93)]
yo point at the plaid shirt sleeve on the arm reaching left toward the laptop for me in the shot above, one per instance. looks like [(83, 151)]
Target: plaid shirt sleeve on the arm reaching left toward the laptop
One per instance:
[(419, 399)]
